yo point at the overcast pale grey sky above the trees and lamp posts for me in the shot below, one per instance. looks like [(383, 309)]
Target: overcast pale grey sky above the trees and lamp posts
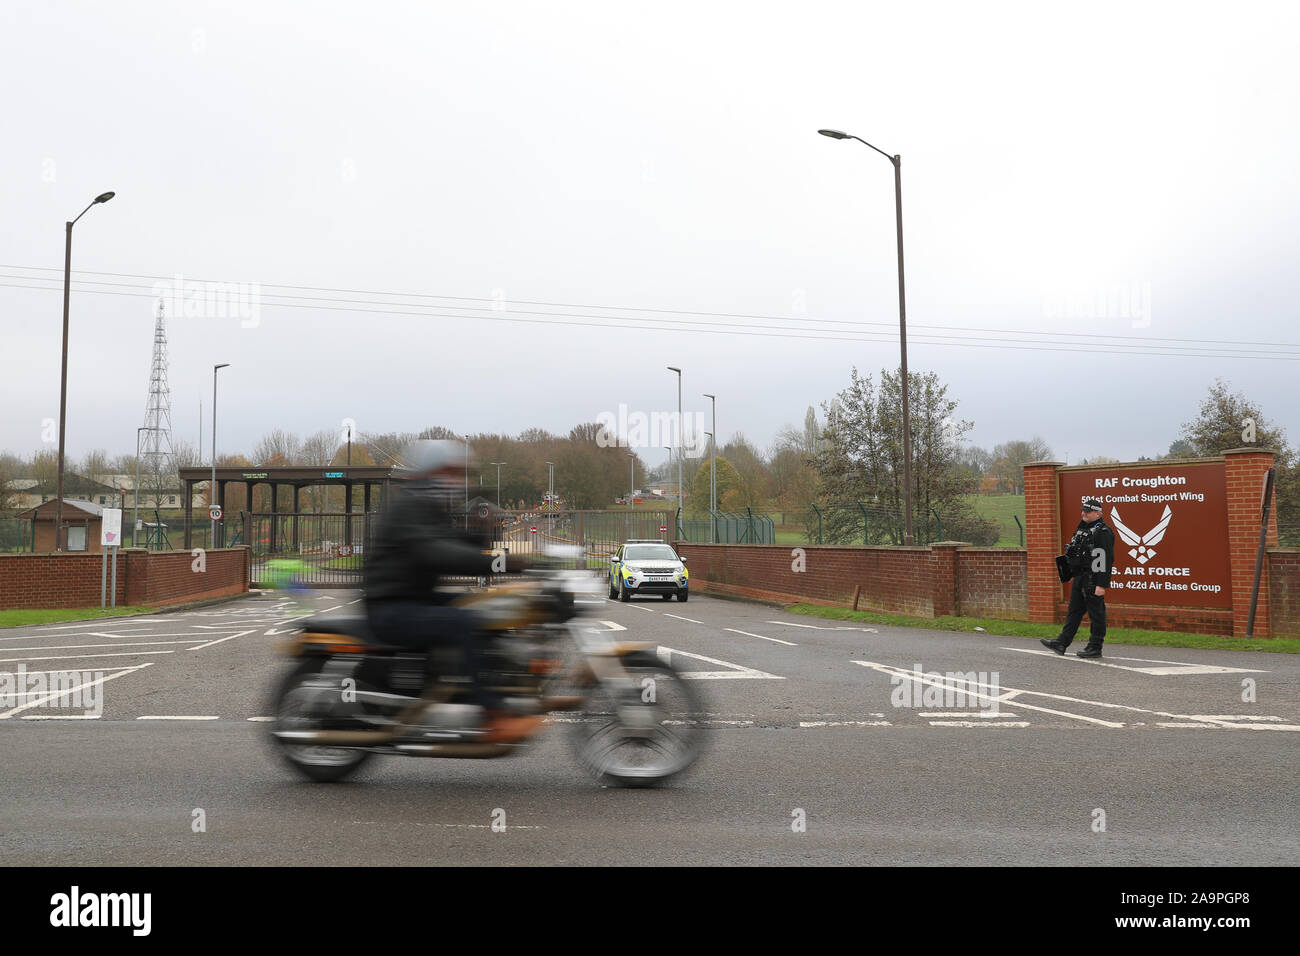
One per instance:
[(653, 157)]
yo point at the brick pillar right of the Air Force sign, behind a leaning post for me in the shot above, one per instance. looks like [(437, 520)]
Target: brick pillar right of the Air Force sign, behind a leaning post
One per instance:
[(1245, 473)]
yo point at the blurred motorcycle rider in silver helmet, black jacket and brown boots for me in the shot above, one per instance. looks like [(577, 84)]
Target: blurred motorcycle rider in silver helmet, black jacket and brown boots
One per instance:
[(414, 547)]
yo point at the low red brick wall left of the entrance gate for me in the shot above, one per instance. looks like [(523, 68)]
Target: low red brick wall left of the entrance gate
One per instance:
[(72, 581)]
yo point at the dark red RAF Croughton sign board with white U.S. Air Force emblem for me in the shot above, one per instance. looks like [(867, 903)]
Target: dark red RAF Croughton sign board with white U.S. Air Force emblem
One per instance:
[(1171, 525)]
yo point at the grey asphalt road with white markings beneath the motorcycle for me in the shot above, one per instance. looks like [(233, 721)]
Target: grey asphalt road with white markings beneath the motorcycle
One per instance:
[(1149, 758)]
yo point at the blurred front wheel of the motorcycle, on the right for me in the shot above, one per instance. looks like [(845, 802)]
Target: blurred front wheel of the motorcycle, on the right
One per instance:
[(645, 733)]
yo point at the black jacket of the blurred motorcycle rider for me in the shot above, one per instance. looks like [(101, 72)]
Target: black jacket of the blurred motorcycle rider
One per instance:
[(415, 544)]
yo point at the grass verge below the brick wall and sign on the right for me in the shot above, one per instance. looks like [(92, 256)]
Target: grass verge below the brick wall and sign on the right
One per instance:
[(1025, 629)]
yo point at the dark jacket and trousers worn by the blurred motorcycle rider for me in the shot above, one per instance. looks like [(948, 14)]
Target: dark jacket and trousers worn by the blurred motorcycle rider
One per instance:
[(414, 547)]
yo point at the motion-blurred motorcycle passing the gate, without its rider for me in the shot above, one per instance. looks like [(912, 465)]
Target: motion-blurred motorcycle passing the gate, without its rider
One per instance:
[(632, 719)]
